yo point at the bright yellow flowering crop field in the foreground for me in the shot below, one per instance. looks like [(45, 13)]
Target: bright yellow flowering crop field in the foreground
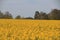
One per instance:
[(29, 29)]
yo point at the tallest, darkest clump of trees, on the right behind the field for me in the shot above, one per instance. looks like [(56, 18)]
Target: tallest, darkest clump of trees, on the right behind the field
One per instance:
[(53, 15)]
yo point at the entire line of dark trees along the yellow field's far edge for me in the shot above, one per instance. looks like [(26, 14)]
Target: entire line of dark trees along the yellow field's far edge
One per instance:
[(53, 15)]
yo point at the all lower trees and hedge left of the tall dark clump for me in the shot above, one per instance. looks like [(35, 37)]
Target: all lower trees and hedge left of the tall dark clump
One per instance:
[(8, 15)]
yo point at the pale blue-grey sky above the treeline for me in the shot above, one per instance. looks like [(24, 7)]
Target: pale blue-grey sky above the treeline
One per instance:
[(27, 8)]
